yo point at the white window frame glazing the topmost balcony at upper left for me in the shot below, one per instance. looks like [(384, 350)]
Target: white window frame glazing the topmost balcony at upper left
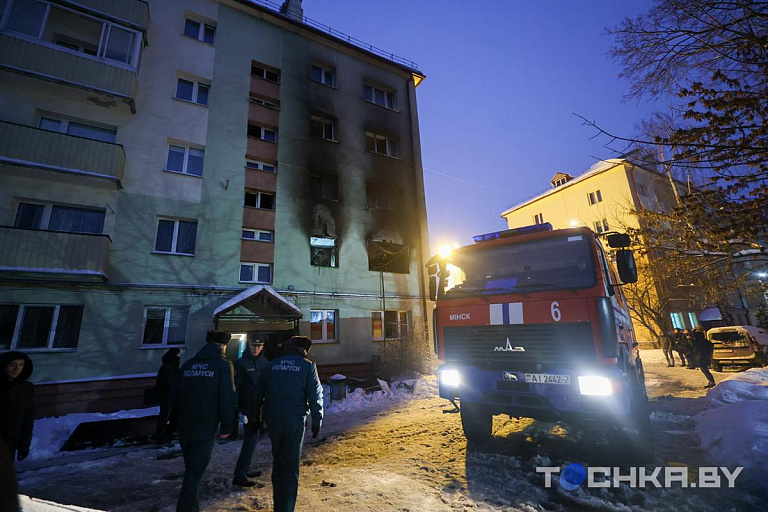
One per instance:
[(102, 47)]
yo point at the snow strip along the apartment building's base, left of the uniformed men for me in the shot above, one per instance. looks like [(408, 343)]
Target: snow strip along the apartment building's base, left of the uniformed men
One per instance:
[(50, 434)]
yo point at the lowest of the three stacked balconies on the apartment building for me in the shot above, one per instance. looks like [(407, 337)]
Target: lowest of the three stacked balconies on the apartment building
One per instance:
[(53, 255)]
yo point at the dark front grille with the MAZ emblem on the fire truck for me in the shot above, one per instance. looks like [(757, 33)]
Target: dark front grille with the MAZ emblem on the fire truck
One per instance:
[(545, 345)]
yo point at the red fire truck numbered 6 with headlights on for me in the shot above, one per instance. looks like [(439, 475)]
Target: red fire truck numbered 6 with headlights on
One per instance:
[(532, 322)]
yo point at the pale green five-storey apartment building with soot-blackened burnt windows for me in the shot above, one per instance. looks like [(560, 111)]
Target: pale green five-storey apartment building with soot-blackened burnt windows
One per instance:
[(170, 166)]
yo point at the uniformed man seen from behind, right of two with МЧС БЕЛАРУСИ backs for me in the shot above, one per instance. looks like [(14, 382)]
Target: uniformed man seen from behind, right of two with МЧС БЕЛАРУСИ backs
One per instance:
[(290, 388)]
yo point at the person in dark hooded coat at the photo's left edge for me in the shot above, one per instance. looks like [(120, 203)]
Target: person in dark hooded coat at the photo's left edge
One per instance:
[(17, 403)]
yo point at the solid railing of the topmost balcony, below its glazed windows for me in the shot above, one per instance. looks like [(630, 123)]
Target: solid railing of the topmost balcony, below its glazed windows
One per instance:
[(49, 63)]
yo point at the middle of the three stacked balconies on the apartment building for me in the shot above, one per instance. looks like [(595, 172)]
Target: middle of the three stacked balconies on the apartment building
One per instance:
[(84, 161)]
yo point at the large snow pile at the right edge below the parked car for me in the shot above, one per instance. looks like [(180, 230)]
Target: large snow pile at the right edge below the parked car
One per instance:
[(734, 430)]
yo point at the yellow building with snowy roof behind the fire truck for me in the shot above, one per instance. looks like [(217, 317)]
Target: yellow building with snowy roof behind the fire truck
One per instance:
[(602, 199)]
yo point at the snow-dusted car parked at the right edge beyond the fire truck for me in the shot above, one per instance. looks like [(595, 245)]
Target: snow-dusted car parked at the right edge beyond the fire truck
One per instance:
[(739, 345)]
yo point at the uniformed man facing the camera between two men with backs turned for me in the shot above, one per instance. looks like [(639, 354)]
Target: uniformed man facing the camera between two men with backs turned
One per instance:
[(248, 370)]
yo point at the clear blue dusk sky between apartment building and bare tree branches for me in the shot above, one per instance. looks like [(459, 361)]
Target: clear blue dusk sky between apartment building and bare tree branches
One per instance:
[(504, 79)]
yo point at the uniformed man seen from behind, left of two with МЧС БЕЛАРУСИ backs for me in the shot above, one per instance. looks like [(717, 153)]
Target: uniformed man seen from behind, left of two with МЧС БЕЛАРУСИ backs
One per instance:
[(206, 399)]
